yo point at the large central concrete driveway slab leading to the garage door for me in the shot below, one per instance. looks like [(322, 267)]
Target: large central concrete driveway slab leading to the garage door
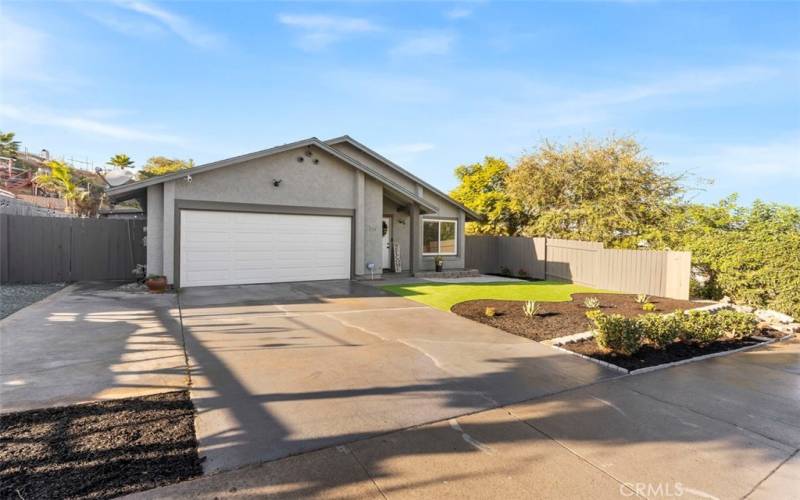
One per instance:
[(286, 368)]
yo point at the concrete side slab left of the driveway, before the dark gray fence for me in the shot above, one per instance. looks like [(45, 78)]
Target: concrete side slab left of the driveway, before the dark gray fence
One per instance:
[(89, 342)]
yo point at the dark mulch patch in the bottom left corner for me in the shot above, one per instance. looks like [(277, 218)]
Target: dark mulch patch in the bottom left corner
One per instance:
[(98, 450)]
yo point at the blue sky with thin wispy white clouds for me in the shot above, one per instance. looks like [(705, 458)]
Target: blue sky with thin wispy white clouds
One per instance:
[(710, 88)]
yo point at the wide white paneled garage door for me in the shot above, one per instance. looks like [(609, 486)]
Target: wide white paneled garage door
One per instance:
[(227, 248)]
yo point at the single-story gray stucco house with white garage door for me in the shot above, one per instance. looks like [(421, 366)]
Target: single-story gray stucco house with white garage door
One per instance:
[(308, 210)]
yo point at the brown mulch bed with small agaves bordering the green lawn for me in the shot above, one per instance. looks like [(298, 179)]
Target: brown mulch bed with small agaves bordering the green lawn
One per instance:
[(558, 319)]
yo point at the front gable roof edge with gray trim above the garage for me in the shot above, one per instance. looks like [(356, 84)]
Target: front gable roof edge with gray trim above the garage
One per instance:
[(127, 190)]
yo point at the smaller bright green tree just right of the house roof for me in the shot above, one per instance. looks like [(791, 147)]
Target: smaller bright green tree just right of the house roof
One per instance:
[(482, 188)]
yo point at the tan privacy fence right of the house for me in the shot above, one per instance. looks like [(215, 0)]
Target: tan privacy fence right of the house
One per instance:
[(660, 273)]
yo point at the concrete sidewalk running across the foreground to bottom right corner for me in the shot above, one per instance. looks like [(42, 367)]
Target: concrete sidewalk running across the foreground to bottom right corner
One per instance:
[(721, 428)]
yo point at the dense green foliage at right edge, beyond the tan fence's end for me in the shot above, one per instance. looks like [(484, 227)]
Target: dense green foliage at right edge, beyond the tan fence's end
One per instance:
[(751, 254)]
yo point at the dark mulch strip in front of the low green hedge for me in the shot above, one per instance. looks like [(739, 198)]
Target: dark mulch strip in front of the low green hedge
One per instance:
[(650, 356)]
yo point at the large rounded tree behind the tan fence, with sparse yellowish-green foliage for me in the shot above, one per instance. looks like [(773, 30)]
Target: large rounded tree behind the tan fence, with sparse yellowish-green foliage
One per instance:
[(608, 191)]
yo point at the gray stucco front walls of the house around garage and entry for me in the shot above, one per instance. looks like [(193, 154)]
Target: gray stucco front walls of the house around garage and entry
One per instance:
[(331, 183)]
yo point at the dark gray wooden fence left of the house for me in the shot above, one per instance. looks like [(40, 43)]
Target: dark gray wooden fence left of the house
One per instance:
[(50, 249)]
